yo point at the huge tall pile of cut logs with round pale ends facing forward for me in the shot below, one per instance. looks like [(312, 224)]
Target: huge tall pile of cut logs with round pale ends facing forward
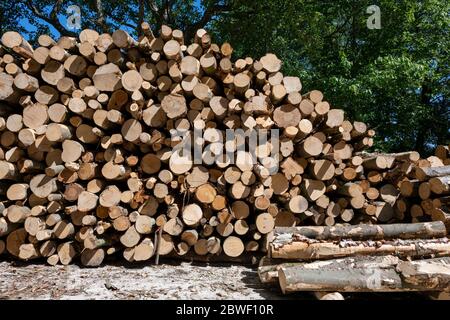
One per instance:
[(91, 164)]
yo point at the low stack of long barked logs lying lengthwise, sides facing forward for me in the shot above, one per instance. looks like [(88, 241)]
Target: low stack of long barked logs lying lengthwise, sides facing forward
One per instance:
[(364, 258)]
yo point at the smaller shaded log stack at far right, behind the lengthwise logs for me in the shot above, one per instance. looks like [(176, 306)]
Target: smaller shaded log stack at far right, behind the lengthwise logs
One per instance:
[(414, 189)]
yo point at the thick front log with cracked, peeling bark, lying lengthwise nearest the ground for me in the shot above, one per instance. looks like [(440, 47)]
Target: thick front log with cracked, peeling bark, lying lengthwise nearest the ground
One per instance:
[(367, 274)]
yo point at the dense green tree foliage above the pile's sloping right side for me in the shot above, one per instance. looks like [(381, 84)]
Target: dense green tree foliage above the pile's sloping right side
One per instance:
[(395, 78)]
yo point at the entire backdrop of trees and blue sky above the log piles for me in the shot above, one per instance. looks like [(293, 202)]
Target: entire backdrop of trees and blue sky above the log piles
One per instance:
[(395, 78)]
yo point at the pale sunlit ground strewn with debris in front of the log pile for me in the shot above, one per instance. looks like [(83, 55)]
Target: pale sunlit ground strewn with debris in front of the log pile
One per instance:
[(171, 280)]
